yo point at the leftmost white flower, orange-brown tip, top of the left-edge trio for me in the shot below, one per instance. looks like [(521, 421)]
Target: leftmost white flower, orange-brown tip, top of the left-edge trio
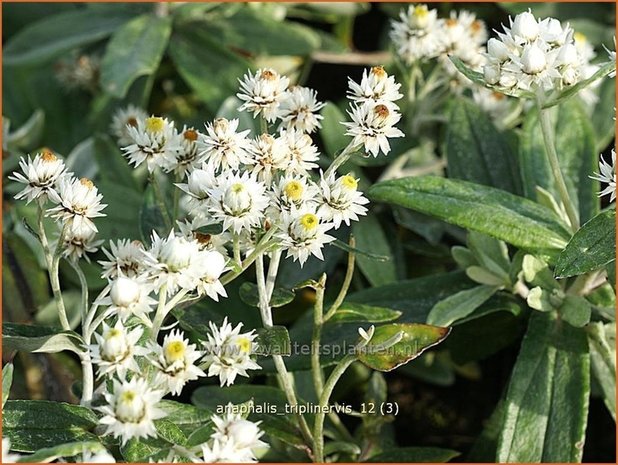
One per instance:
[(39, 175)]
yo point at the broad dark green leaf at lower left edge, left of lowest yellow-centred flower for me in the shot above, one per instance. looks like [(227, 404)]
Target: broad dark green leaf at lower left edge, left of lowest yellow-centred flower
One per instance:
[(37, 424)]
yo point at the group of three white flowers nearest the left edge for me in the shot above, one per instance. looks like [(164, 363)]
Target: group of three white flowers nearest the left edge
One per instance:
[(76, 201)]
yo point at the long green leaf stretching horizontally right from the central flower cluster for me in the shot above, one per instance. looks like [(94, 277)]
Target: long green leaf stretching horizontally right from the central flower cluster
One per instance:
[(491, 211)]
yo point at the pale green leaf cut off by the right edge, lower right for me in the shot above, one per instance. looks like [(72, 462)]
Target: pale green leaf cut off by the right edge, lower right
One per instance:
[(602, 343)]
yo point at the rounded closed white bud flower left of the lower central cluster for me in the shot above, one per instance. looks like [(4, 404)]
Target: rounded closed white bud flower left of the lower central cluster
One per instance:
[(129, 297)]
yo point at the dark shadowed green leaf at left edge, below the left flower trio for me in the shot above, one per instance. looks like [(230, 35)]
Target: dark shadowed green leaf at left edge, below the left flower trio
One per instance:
[(25, 285)]
